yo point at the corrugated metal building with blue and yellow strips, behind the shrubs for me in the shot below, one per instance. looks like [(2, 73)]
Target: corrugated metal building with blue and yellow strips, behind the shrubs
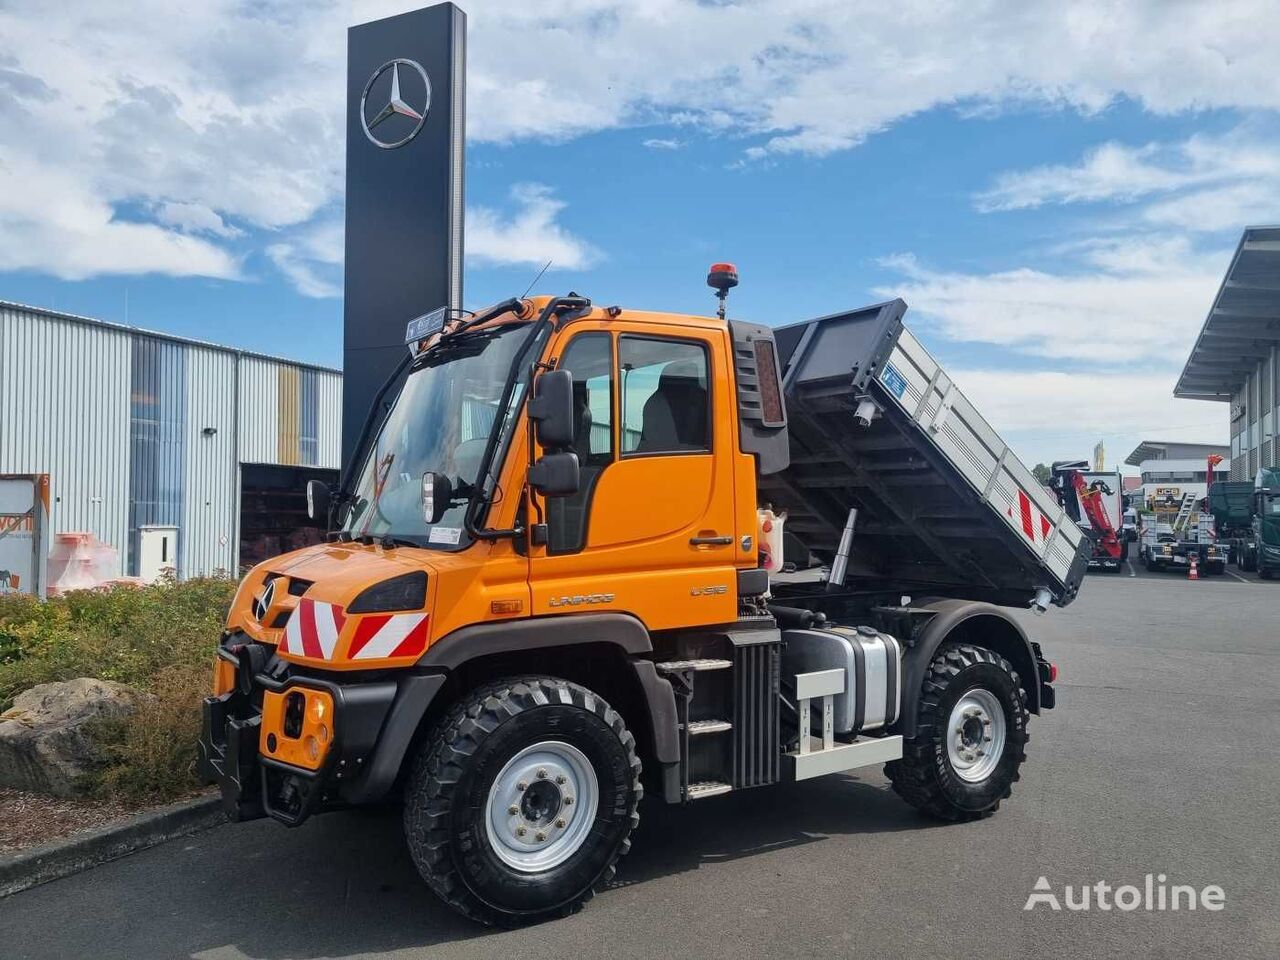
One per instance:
[(140, 429)]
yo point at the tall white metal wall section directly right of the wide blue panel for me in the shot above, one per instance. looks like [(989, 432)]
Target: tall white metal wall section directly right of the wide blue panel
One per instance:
[(212, 509)]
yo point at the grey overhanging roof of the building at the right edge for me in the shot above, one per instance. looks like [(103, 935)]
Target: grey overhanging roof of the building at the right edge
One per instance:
[(1242, 326)]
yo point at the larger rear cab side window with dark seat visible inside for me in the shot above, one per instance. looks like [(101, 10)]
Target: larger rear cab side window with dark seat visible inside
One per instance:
[(666, 396)]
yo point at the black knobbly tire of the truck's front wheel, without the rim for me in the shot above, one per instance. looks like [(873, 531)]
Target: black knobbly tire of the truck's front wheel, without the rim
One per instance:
[(447, 792)]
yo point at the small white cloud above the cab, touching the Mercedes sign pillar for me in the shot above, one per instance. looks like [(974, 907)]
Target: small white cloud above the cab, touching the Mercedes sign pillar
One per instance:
[(532, 236)]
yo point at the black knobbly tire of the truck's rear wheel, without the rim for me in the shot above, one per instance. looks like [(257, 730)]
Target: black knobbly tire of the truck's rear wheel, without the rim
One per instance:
[(925, 776)]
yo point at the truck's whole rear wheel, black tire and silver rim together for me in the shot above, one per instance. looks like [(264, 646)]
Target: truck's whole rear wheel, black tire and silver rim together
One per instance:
[(971, 737)]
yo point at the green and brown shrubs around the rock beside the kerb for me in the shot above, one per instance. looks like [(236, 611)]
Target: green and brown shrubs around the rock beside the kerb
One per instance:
[(159, 639)]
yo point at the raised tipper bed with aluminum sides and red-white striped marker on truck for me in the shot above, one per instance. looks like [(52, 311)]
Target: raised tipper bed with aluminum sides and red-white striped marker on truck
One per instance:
[(944, 508)]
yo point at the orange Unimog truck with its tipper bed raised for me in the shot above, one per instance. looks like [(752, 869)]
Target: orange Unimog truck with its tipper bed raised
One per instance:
[(589, 552)]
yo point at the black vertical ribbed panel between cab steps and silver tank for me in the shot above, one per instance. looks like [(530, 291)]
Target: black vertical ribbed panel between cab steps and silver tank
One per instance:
[(756, 715)]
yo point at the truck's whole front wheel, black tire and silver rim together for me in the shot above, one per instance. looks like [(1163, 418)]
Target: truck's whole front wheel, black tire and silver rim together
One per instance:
[(523, 801)]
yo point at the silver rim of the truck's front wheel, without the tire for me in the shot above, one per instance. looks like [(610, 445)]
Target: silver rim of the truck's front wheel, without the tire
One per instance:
[(542, 807)]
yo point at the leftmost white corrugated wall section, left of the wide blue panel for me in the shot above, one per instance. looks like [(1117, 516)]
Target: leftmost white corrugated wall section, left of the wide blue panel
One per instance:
[(65, 412)]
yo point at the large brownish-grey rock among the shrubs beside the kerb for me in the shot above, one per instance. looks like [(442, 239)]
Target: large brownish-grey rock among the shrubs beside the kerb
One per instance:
[(44, 744)]
